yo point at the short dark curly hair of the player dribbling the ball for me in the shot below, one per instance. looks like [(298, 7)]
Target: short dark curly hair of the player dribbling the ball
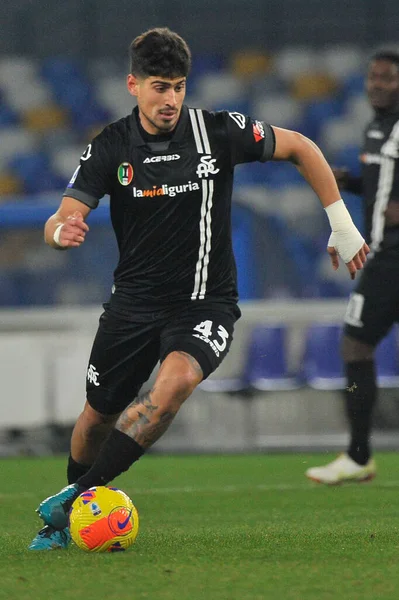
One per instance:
[(159, 52)]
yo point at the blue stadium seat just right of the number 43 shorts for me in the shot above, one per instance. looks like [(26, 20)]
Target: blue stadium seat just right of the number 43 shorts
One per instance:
[(267, 367)]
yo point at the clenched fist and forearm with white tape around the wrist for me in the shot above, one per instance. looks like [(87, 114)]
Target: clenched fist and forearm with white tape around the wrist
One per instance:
[(67, 228)]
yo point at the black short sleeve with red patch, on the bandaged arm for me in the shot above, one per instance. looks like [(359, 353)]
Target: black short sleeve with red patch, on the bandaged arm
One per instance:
[(249, 139)]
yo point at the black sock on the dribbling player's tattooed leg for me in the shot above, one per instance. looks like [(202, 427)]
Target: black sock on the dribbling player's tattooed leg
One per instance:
[(117, 454)]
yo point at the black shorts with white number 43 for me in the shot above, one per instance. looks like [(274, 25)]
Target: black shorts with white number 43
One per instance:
[(125, 350)]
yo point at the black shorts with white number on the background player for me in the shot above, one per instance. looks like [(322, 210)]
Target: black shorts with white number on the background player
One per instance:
[(374, 305)]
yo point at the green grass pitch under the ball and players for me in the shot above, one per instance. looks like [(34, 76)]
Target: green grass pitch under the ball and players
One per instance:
[(214, 528)]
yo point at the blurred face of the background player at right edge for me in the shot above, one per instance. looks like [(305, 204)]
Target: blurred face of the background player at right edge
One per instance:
[(382, 84)]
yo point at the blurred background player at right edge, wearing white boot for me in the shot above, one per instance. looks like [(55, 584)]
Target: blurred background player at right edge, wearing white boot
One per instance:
[(373, 307)]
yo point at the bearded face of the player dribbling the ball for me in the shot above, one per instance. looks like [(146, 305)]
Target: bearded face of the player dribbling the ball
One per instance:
[(159, 100)]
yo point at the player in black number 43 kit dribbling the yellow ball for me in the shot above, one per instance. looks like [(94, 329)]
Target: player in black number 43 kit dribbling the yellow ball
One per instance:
[(169, 172)]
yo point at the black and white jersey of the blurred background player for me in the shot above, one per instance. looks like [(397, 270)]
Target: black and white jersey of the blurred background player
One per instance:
[(380, 178)]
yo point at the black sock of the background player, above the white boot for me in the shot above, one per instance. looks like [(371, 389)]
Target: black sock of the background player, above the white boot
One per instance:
[(360, 396)]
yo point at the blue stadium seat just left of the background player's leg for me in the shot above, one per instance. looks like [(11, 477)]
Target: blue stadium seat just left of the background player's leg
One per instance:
[(322, 366)]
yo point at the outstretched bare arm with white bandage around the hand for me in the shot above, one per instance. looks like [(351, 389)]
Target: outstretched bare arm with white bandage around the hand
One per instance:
[(345, 240)]
